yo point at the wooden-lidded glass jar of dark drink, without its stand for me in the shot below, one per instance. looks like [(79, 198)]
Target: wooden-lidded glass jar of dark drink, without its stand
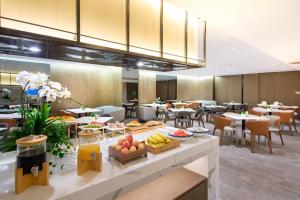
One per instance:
[(31, 153)]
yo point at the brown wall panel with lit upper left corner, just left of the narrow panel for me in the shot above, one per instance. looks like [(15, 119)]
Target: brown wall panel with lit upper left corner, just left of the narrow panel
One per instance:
[(228, 88)]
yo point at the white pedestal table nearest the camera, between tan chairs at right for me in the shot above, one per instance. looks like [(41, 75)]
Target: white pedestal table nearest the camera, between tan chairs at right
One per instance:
[(244, 118)]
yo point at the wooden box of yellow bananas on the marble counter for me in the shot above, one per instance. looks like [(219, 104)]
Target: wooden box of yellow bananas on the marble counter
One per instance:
[(158, 143)]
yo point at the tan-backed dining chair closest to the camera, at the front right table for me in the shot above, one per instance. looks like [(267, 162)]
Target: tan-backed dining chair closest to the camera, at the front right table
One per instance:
[(259, 128)]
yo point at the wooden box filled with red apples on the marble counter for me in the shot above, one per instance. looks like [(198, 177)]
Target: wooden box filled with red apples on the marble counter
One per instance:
[(127, 149)]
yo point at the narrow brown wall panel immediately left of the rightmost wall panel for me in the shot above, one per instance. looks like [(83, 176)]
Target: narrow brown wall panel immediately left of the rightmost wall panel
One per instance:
[(251, 89)]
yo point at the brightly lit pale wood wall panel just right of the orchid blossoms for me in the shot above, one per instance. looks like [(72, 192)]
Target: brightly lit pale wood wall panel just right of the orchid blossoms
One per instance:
[(93, 86)]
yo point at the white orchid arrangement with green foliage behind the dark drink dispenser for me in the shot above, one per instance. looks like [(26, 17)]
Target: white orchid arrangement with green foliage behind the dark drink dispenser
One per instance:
[(35, 120)]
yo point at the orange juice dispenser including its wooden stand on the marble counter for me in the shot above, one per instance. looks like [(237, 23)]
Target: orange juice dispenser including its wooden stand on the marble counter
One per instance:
[(89, 153)]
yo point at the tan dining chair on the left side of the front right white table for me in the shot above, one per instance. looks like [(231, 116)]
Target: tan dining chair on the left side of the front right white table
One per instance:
[(223, 124)]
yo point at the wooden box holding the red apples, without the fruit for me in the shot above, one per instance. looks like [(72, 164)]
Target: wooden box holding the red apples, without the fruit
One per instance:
[(123, 158)]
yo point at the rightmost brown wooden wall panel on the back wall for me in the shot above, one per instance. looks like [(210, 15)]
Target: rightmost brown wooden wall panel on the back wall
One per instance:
[(280, 87)]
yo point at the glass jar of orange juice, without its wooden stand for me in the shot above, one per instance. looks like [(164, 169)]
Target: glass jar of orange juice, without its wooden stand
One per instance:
[(89, 144)]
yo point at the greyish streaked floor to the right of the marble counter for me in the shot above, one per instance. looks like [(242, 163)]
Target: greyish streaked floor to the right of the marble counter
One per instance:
[(260, 175)]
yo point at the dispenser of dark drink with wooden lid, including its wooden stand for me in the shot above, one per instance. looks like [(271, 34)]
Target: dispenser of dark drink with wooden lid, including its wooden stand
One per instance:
[(32, 168)]
